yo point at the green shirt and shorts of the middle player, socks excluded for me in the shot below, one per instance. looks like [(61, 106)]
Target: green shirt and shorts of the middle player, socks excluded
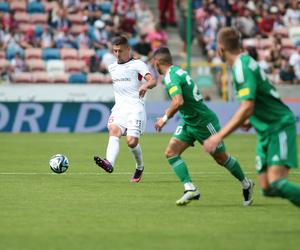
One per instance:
[(198, 122)]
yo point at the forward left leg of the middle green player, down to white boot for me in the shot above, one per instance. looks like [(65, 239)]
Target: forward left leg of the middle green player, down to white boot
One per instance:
[(177, 144)]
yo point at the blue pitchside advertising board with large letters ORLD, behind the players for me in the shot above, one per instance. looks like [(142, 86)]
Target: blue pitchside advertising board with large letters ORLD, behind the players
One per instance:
[(92, 117)]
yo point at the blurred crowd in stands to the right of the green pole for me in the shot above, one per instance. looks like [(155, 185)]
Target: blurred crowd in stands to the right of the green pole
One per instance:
[(270, 31)]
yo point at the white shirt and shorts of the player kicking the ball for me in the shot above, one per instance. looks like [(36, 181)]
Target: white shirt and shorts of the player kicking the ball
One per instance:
[(129, 111)]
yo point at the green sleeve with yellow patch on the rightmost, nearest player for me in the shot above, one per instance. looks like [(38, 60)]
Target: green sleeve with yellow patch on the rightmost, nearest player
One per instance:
[(246, 82)]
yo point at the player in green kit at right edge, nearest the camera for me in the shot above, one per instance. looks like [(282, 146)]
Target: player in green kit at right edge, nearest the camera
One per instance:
[(261, 107)]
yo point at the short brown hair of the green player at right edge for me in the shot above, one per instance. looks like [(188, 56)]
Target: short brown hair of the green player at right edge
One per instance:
[(230, 38)]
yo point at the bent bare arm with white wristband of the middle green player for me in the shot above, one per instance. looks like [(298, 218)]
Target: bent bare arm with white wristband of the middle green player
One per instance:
[(177, 102)]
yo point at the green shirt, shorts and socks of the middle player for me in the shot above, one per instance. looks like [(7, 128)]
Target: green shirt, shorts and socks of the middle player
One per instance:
[(198, 122)]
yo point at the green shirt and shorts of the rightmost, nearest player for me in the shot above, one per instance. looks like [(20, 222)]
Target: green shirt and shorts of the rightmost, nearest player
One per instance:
[(272, 119)]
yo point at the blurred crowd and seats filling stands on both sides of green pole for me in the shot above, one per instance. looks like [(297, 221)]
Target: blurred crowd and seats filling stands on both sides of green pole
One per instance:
[(69, 40)]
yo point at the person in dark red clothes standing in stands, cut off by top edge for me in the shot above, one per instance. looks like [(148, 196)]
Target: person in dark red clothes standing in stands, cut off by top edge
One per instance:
[(166, 13)]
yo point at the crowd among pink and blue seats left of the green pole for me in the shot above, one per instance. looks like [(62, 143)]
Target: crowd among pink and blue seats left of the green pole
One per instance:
[(69, 40)]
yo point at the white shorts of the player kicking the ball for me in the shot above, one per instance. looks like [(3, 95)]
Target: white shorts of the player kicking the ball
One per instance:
[(131, 121)]
